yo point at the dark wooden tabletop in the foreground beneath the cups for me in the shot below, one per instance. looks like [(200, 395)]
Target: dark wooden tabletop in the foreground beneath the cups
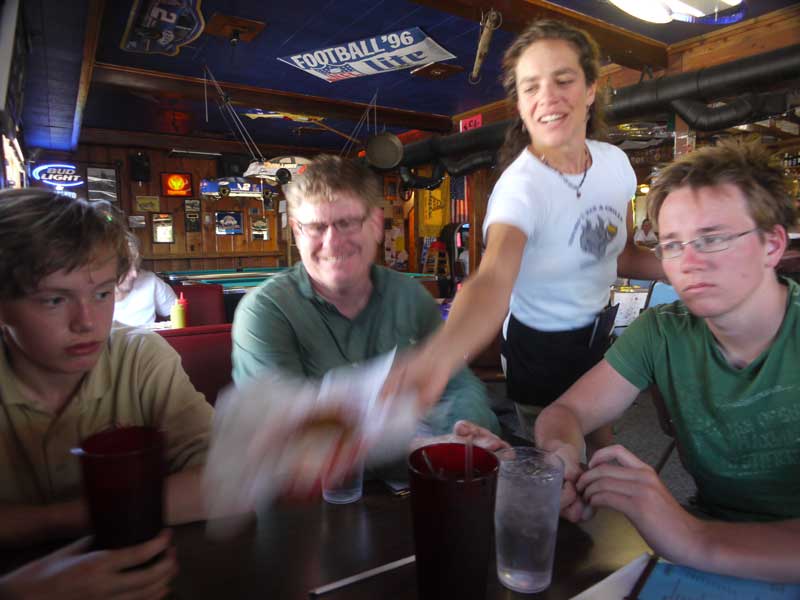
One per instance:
[(291, 550)]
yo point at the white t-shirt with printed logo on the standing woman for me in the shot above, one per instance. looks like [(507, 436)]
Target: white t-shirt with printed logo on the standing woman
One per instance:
[(570, 258)]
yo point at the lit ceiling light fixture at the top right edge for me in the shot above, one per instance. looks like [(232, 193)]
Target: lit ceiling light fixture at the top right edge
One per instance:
[(708, 12)]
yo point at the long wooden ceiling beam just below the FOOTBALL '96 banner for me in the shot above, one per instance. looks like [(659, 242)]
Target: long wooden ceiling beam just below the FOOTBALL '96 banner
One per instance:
[(156, 82)]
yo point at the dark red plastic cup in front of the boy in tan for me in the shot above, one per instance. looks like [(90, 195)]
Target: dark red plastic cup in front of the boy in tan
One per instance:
[(123, 482)]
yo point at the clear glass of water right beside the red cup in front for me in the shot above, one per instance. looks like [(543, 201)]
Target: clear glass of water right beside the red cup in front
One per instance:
[(526, 517)]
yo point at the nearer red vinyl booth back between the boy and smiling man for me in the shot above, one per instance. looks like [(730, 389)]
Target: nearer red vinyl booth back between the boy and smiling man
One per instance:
[(205, 354)]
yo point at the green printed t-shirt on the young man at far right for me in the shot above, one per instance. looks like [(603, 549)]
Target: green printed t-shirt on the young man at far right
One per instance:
[(738, 430)]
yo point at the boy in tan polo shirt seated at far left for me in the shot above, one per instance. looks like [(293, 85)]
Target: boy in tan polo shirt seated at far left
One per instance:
[(64, 374)]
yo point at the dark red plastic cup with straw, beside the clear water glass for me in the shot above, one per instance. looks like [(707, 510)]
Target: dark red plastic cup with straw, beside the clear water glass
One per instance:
[(453, 518)]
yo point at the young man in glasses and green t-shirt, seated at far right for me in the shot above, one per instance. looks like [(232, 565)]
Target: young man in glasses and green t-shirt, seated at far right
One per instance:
[(724, 358)]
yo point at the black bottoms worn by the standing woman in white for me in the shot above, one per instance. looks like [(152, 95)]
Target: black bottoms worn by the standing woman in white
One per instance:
[(542, 365)]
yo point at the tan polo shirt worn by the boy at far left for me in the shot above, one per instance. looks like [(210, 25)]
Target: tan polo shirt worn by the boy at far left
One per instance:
[(138, 380)]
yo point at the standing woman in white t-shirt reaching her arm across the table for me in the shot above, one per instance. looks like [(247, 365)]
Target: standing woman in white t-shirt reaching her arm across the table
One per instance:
[(556, 233)]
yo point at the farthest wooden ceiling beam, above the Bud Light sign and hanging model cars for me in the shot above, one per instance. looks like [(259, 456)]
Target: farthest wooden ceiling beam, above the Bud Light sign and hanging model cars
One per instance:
[(143, 139)]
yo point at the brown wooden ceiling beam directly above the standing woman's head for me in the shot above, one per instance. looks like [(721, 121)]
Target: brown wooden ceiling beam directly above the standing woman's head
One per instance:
[(621, 46)]
